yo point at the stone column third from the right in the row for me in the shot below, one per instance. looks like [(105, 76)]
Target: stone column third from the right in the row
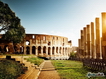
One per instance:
[(93, 50)]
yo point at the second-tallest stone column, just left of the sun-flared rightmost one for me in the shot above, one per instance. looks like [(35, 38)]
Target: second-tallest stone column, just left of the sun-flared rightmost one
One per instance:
[(97, 25)]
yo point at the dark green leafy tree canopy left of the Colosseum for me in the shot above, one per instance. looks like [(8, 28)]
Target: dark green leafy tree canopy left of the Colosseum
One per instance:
[(11, 24)]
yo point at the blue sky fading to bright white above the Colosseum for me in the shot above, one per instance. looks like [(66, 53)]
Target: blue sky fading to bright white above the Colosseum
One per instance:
[(57, 17)]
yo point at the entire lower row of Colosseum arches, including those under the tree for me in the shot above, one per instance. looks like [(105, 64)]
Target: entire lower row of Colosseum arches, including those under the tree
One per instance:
[(37, 50)]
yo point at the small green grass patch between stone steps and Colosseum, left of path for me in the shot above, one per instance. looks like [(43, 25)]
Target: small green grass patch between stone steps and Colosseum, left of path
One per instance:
[(35, 60)]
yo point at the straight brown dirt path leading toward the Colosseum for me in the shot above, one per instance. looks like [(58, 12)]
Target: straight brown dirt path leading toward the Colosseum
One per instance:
[(48, 71)]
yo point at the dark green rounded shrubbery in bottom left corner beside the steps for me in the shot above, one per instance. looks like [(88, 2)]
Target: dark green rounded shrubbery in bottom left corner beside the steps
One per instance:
[(10, 69)]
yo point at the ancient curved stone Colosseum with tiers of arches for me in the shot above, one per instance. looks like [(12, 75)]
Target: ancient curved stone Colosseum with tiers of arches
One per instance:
[(49, 46)]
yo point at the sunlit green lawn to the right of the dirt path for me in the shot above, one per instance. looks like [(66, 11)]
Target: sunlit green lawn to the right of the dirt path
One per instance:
[(72, 70)]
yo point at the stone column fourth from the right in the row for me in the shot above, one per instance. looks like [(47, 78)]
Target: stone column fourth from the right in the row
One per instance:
[(88, 41)]
